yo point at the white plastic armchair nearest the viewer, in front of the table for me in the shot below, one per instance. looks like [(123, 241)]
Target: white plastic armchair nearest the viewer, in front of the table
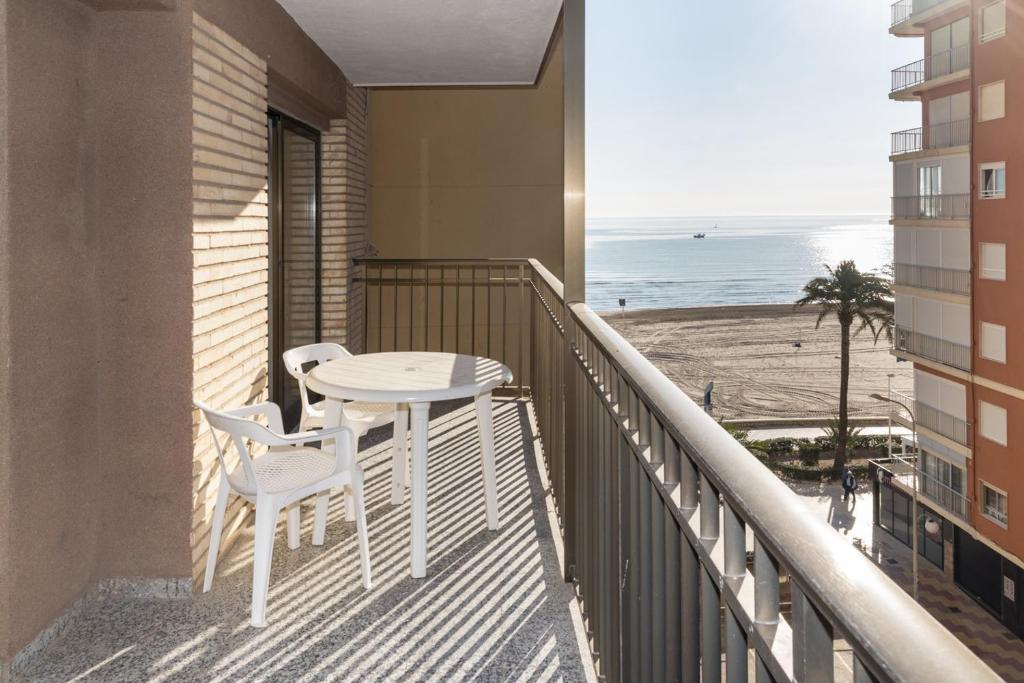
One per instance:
[(279, 480)]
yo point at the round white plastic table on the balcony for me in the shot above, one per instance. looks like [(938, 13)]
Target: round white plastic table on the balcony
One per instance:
[(417, 379)]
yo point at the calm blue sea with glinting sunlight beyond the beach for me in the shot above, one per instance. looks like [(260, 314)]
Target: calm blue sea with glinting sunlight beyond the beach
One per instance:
[(658, 264)]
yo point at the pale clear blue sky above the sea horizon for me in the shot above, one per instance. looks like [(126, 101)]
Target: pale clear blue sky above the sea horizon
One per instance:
[(742, 108)]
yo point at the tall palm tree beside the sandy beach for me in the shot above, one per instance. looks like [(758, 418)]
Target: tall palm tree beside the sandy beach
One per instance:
[(851, 296)]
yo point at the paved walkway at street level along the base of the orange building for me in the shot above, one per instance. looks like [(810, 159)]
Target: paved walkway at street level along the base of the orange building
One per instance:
[(961, 615)]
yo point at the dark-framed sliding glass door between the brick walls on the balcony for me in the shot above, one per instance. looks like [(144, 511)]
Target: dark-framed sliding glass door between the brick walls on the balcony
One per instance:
[(294, 183)]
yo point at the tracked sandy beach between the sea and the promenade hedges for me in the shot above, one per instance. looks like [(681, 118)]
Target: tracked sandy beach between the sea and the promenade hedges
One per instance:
[(750, 353)]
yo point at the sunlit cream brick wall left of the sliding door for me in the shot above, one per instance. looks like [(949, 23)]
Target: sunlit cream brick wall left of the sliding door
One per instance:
[(230, 250)]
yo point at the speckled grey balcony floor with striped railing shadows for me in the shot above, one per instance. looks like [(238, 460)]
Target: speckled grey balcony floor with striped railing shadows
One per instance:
[(494, 607)]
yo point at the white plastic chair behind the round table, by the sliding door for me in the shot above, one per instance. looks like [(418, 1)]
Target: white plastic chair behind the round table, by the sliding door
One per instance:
[(359, 416)]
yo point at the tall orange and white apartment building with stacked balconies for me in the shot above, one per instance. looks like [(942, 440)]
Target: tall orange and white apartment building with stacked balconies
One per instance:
[(957, 241)]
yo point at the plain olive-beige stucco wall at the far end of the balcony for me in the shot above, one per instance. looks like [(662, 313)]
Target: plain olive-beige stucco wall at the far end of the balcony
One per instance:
[(470, 173)]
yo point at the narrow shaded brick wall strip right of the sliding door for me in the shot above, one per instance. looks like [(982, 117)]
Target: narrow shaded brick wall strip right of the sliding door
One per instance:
[(345, 223)]
